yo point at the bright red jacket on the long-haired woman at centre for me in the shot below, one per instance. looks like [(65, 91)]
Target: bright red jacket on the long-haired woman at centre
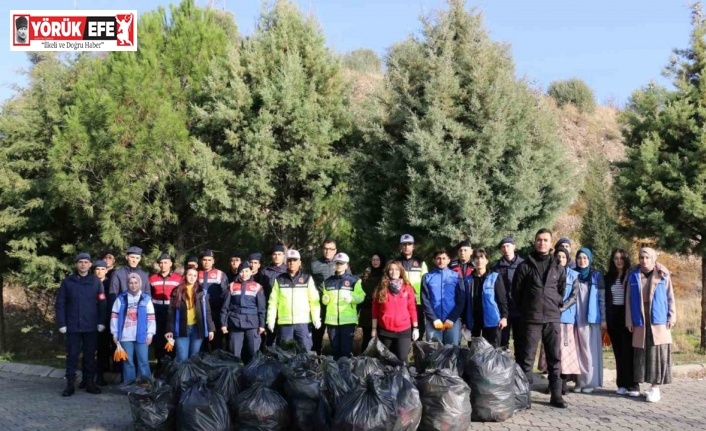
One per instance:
[(399, 312)]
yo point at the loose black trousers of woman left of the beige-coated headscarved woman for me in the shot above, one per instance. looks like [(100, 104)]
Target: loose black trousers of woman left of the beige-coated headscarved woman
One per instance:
[(621, 341)]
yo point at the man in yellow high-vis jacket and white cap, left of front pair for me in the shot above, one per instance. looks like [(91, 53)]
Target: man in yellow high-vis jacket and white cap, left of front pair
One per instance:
[(294, 303)]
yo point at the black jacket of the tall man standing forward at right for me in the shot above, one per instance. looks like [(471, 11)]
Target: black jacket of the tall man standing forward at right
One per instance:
[(539, 300)]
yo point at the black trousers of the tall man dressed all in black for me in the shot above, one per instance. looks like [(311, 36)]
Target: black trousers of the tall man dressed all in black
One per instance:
[(550, 336)]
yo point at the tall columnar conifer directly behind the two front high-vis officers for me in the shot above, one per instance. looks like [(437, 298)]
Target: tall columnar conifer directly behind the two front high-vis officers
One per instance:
[(298, 120)]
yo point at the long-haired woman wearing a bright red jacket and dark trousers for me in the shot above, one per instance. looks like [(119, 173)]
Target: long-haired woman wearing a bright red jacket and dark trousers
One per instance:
[(395, 311)]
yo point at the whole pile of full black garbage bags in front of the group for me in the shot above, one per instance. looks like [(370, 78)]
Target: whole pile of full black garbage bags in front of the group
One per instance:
[(288, 388)]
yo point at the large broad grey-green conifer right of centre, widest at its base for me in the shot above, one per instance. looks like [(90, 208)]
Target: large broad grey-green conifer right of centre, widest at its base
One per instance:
[(464, 149)]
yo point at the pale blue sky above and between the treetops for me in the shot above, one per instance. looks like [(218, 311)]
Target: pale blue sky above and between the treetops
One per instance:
[(615, 46)]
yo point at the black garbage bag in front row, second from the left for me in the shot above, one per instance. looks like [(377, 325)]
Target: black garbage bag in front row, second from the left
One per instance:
[(201, 409)]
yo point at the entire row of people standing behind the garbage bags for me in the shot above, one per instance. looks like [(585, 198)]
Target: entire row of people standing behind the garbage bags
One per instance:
[(544, 297)]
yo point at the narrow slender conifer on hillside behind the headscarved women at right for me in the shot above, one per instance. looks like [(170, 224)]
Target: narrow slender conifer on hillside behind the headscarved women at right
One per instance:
[(600, 229)]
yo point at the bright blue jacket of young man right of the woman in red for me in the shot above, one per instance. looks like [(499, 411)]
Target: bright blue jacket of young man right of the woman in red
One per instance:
[(443, 295)]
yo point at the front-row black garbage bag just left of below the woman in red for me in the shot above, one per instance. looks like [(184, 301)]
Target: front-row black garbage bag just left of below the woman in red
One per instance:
[(367, 407)]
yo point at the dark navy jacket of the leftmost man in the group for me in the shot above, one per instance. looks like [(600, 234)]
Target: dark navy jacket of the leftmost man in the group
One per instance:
[(80, 304)]
